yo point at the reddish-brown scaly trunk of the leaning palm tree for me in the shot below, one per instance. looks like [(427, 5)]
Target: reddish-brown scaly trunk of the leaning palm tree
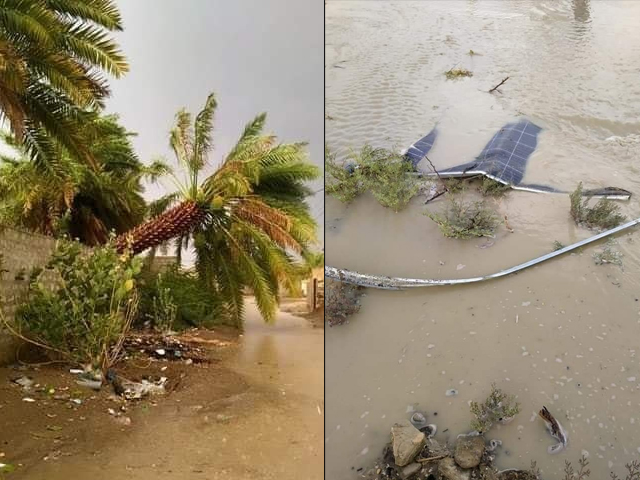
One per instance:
[(173, 223)]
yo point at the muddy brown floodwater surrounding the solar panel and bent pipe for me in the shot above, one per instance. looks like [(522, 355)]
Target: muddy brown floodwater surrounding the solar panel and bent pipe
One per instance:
[(563, 334)]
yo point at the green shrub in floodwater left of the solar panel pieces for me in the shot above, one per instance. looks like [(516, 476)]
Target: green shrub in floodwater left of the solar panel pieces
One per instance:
[(385, 173)]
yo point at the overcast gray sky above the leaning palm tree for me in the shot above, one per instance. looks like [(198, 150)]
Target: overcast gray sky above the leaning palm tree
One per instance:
[(256, 55)]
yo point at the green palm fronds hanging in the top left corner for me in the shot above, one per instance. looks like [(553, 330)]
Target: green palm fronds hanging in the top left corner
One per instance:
[(53, 58)]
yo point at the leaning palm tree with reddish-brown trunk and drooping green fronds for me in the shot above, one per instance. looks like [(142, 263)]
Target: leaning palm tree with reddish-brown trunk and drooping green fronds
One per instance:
[(247, 219)]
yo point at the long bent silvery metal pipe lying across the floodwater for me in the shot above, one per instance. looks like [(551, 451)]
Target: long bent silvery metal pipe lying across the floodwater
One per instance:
[(396, 283)]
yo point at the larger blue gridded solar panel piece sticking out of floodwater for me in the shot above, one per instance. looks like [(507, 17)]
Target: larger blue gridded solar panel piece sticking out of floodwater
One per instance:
[(505, 157)]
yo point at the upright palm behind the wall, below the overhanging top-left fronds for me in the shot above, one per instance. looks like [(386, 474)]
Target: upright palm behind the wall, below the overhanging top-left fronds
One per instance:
[(84, 202)]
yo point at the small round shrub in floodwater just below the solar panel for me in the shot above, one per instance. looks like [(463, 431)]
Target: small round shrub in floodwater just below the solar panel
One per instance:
[(466, 220)]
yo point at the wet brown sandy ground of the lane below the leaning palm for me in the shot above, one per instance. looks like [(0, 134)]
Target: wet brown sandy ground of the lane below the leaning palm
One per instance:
[(256, 412)]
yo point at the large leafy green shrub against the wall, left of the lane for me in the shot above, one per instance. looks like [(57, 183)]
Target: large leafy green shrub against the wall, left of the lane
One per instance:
[(85, 318)]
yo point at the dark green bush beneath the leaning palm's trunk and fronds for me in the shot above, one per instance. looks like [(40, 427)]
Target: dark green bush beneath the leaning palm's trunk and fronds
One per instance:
[(193, 304)]
